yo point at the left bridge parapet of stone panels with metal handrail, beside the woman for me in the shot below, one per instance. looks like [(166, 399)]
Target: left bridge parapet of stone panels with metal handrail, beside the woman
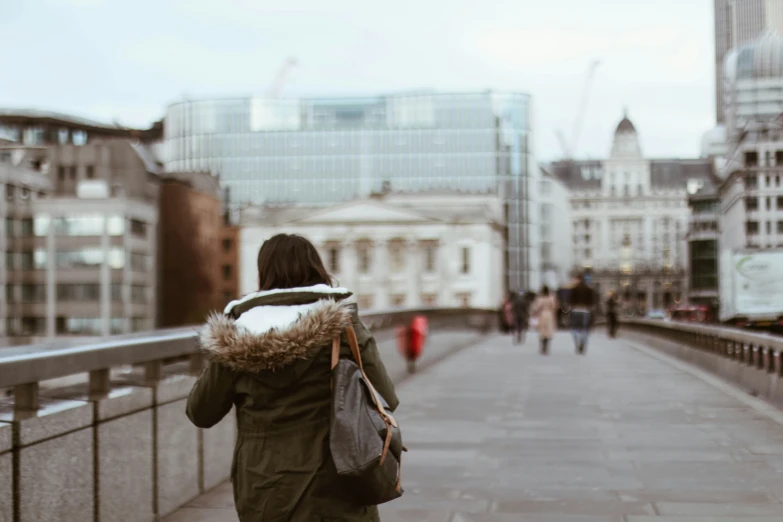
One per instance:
[(98, 431)]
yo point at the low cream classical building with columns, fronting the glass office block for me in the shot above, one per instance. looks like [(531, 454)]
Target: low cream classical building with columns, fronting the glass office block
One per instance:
[(395, 250)]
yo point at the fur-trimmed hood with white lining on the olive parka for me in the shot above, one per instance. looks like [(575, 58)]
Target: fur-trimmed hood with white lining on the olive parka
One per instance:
[(273, 329)]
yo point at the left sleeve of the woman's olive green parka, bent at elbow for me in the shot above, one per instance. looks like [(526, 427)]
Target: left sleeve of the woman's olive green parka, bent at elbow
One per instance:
[(212, 396)]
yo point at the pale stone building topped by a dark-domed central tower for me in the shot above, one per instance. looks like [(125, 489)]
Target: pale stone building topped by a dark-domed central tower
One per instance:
[(630, 217)]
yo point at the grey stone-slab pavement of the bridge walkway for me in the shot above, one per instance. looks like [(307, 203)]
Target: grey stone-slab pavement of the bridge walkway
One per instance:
[(498, 433)]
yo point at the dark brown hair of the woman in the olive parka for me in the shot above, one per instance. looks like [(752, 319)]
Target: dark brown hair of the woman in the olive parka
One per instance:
[(290, 261)]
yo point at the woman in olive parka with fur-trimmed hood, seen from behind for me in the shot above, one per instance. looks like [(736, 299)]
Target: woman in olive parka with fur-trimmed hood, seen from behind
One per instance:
[(270, 358)]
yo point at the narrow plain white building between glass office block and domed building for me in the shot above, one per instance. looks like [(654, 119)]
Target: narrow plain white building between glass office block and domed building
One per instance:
[(557, 256)]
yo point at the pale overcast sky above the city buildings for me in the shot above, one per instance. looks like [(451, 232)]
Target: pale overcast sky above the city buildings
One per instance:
[(114, 60)]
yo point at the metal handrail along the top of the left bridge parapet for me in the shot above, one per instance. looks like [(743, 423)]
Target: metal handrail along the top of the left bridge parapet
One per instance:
[(44, 362)]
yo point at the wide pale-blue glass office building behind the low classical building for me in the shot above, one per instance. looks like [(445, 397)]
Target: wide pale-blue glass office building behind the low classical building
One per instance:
[(329, 150)]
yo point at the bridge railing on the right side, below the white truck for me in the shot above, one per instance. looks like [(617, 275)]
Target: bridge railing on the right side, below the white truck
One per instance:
[(750, 359)]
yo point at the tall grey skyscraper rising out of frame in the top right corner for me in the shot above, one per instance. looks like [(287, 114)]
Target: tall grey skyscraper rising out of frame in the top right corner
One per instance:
[(738, 22)]
